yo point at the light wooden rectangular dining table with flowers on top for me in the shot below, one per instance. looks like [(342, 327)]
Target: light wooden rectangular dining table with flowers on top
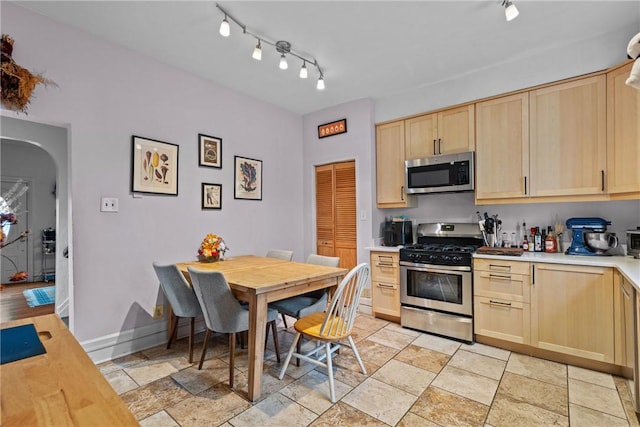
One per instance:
[(259, 281)]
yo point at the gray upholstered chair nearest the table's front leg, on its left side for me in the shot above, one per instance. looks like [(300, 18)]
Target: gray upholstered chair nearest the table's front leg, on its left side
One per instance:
[(223, 313)]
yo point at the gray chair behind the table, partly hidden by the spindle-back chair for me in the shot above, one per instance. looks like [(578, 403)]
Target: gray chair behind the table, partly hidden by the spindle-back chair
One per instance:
[(311, 302)]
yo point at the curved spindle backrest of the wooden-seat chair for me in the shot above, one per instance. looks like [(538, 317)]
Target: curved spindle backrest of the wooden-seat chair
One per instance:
[(344, 304)]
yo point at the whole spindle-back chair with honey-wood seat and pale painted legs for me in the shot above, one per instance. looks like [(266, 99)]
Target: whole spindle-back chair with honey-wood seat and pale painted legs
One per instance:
[(330, 329)]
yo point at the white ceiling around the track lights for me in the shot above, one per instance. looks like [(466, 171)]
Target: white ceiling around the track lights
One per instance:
[(366, 49)]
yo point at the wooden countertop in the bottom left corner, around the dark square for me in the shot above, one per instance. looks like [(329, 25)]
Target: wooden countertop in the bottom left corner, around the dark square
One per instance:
[(62, 387)]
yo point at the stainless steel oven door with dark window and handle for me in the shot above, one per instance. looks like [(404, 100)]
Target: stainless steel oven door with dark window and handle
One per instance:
[(440, 288)]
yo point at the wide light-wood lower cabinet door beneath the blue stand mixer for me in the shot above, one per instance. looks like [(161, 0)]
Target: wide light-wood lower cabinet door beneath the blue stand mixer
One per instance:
[(572, 310)]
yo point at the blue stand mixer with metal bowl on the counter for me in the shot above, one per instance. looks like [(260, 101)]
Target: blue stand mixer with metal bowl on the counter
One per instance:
[(590, 236)]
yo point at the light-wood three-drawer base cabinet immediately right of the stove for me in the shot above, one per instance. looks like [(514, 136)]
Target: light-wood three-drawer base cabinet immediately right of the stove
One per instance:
[(501, 300)]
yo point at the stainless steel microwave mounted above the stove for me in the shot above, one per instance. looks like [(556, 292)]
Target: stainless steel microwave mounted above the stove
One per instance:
[(438, 174)]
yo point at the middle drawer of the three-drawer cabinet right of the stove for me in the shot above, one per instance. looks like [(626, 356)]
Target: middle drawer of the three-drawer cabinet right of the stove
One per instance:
[(512, 287)]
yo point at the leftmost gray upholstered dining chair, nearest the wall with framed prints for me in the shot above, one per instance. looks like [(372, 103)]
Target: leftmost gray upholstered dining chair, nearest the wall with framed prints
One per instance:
[(182, 299)]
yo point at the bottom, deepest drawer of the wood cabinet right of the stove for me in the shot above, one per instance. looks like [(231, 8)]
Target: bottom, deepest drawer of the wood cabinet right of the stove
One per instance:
[(505, 320)]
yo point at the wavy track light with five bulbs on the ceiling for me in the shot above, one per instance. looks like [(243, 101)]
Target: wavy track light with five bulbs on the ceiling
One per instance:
[(282, 47)]
